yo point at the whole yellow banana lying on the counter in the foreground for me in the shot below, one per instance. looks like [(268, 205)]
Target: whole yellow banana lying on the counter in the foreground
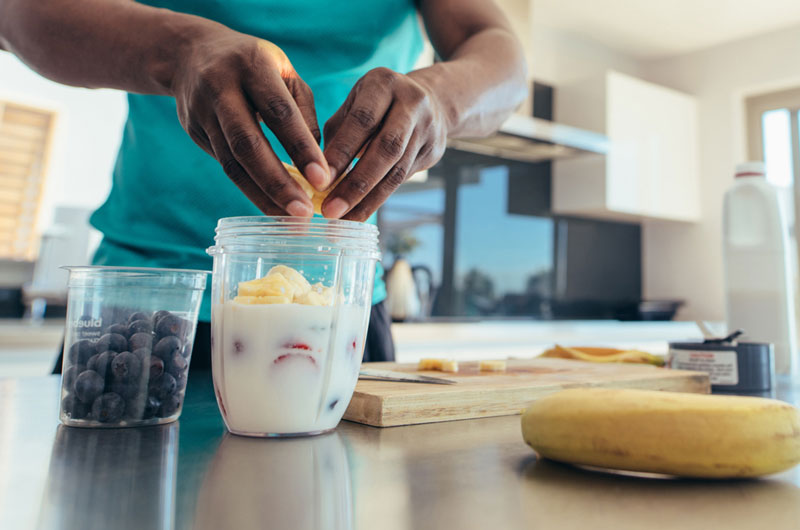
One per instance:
[(690, 435)]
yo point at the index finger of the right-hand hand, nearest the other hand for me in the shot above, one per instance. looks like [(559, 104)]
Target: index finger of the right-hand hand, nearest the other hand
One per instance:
[(371, 98)]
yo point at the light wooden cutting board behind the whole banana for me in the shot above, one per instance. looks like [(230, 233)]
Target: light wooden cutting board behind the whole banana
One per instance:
[(482, 394)]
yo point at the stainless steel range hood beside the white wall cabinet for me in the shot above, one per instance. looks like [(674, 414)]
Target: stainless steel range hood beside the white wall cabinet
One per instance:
[(529, 139)]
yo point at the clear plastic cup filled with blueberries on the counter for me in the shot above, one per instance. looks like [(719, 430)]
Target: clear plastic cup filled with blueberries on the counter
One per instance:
[(128, 344)]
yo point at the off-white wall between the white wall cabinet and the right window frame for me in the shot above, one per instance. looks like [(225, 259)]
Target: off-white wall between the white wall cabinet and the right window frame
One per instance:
[(685, 261)]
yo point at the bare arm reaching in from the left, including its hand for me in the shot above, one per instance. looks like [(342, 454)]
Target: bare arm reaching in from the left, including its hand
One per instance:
[(223, 82)]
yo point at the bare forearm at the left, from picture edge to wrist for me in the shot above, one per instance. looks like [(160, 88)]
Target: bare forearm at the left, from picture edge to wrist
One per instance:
[(99, 43)]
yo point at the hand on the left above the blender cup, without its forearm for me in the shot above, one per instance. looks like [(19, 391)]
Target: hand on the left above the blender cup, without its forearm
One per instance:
[(227, 81)]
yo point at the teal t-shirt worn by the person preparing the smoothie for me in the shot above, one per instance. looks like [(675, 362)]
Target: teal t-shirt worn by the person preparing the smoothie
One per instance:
[(167, 193)]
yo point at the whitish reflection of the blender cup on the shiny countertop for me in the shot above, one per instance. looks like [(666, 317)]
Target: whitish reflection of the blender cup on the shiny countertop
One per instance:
[(293, 484)]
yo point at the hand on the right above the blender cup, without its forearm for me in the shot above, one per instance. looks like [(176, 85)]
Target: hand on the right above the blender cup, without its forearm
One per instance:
[(399, 125)]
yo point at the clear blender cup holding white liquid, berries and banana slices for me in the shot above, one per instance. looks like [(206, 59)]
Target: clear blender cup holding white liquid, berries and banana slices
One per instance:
[(290, 308)]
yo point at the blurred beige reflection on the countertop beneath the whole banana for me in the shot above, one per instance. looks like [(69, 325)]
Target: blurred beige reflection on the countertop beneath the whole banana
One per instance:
[(557, 496)]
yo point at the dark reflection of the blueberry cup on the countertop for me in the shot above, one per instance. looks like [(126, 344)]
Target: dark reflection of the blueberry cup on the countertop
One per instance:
[(112, 478)]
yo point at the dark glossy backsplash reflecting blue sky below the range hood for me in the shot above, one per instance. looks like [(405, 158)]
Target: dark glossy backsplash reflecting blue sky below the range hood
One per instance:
[(488, 234)]
